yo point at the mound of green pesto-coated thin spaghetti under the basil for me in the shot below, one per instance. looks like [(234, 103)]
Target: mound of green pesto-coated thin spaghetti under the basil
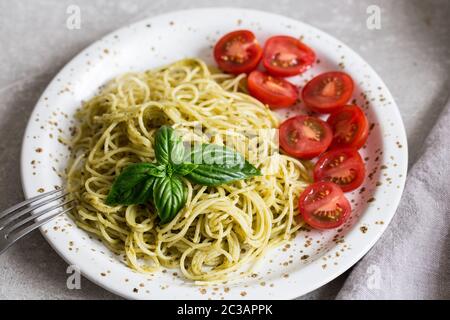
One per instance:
[(222, 231)]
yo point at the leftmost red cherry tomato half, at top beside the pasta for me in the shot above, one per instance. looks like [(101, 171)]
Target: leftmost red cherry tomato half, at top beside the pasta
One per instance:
[(238, 52)]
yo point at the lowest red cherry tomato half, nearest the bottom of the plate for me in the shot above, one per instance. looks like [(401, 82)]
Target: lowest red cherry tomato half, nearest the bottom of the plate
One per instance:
[(323, 205)]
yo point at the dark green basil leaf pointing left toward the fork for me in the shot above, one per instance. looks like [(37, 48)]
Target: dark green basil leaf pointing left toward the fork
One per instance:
[(134, 184)]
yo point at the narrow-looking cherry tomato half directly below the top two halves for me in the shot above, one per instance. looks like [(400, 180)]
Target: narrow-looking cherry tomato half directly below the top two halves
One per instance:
[(276, 92)]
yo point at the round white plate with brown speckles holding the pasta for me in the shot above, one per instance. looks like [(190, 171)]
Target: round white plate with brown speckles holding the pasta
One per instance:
[(313, 258)]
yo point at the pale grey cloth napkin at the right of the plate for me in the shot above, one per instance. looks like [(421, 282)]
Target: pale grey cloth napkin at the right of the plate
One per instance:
[(411, 260)]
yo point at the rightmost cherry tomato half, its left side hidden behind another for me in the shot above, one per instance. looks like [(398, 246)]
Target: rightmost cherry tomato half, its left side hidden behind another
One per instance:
[(350, 127)]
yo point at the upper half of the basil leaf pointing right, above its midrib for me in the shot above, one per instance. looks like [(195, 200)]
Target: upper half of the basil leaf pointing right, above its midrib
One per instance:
[(213, 154)]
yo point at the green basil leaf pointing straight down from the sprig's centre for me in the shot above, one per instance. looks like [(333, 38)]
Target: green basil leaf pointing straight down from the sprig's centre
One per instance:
[(169, 196)]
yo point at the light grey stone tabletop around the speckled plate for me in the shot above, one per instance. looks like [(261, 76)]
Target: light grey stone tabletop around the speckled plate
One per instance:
[(411, 53)]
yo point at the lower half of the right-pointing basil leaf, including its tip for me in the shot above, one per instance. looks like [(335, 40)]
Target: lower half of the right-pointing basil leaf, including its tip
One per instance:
[(214, 175)]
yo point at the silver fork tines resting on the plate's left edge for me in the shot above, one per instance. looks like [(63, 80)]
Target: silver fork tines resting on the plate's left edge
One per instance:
[(21, 219)]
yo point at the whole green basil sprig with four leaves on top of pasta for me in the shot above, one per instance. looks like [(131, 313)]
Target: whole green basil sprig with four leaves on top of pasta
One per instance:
[(161, 183)]
